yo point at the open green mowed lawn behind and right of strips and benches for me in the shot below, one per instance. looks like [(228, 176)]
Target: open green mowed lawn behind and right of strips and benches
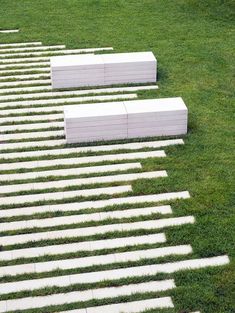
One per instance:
[(193, 43)]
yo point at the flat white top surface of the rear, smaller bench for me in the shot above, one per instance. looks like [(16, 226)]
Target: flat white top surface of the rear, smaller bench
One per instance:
[(67, 61)]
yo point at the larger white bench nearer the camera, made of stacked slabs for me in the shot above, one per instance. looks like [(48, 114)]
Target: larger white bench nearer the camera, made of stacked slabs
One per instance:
[(125, 119)]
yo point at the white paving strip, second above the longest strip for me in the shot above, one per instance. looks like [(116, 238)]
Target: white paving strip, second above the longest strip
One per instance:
[(82, 246)]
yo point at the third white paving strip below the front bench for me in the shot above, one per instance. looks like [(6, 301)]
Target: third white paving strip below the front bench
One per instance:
[(71, 171)]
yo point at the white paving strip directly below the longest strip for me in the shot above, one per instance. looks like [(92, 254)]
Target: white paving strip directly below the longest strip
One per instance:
[(99, 293)]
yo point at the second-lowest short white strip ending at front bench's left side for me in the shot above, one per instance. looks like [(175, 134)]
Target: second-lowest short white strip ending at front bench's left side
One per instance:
[(29, 135)]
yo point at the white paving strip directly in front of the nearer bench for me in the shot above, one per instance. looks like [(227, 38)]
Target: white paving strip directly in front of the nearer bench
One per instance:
[(110, 147)]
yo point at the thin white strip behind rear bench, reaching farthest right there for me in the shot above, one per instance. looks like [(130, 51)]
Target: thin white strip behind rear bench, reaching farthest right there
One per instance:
[(51, 52)]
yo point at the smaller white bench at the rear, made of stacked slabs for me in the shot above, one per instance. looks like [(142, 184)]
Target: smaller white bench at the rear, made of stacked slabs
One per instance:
[(107, 69)]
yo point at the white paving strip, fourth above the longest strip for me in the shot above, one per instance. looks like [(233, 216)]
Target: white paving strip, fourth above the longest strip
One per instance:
[(81, 218)]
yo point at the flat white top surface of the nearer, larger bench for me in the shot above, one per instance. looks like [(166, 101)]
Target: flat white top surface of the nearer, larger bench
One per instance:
[(123, 108)]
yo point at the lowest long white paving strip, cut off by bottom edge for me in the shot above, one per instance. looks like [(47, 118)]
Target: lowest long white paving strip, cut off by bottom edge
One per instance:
[(134, 306)]
